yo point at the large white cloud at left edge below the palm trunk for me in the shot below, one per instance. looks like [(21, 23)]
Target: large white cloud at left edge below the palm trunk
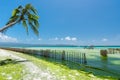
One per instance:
[(5, 38)]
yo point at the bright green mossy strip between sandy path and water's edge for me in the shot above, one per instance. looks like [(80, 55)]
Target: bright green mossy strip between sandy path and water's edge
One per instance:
[(63, 72)]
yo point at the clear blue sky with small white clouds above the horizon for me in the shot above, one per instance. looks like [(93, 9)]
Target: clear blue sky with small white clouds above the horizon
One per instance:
[(76, 22)]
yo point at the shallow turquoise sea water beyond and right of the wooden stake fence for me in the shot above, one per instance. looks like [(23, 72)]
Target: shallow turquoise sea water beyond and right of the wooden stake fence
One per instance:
[(111, 64)]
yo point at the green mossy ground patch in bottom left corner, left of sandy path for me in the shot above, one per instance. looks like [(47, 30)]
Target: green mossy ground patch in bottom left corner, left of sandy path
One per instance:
[(11, 71)]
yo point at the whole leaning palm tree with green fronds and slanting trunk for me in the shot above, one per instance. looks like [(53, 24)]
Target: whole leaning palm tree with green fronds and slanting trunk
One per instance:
[(26, 15)]
